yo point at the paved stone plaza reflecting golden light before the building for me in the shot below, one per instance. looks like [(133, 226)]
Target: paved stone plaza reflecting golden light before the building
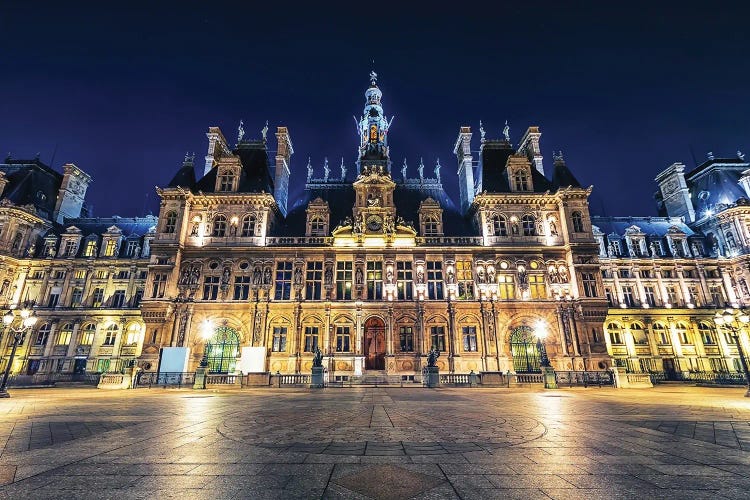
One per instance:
[(671, 441)]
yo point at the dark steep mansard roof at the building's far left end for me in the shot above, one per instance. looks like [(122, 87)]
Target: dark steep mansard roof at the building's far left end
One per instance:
[(31, 182)]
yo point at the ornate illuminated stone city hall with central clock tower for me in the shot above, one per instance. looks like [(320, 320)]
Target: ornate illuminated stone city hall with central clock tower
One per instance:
[(375, 265)]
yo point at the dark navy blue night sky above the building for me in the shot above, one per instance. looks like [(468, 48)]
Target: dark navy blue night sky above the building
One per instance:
[(124, 92)]
